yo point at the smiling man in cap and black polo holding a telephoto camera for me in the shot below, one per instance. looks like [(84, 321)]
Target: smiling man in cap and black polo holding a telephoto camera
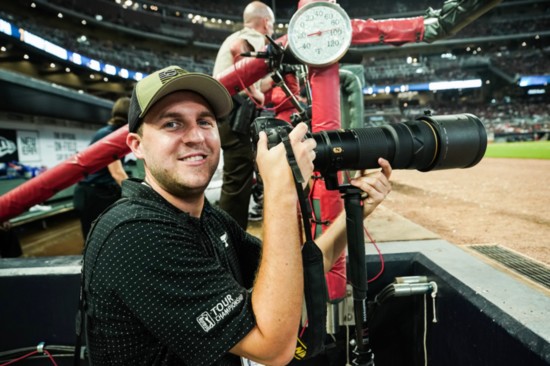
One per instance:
[(170, 279)]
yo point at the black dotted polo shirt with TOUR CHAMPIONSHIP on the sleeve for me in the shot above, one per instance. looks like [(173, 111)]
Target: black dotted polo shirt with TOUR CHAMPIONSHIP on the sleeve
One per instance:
[(165, 288)]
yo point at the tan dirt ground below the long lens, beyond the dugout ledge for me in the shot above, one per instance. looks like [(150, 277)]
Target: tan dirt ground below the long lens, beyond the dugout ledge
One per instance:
[(499, 201)]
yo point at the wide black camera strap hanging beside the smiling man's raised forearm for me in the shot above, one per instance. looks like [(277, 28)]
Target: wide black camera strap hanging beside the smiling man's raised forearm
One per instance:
[(311, 336)]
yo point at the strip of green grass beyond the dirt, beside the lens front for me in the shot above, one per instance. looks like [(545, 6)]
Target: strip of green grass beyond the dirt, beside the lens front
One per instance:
[(520, 150)]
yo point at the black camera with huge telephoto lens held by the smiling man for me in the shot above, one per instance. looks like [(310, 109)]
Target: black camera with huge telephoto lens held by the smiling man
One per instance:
[(427, 143)]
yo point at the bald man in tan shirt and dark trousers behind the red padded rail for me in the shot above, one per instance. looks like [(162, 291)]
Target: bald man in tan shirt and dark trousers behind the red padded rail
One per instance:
[(238, 160)]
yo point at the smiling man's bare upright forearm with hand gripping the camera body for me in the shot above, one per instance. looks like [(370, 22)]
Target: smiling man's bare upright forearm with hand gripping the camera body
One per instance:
[(278, 290)]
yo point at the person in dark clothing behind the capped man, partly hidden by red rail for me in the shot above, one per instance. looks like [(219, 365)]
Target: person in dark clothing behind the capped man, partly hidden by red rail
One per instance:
[(101, 189)]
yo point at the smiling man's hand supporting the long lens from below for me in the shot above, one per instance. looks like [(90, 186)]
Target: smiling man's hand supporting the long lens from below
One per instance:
[(376, 185)]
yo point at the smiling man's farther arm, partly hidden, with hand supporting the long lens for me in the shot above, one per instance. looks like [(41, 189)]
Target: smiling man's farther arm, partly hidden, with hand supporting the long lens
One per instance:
[(377, 186)]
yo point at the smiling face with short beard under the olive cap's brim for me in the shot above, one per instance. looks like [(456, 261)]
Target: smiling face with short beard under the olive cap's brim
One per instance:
[(179, 143)]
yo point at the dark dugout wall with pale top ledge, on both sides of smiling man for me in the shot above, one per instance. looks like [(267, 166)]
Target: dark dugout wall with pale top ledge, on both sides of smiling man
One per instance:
[(484, 315)]
